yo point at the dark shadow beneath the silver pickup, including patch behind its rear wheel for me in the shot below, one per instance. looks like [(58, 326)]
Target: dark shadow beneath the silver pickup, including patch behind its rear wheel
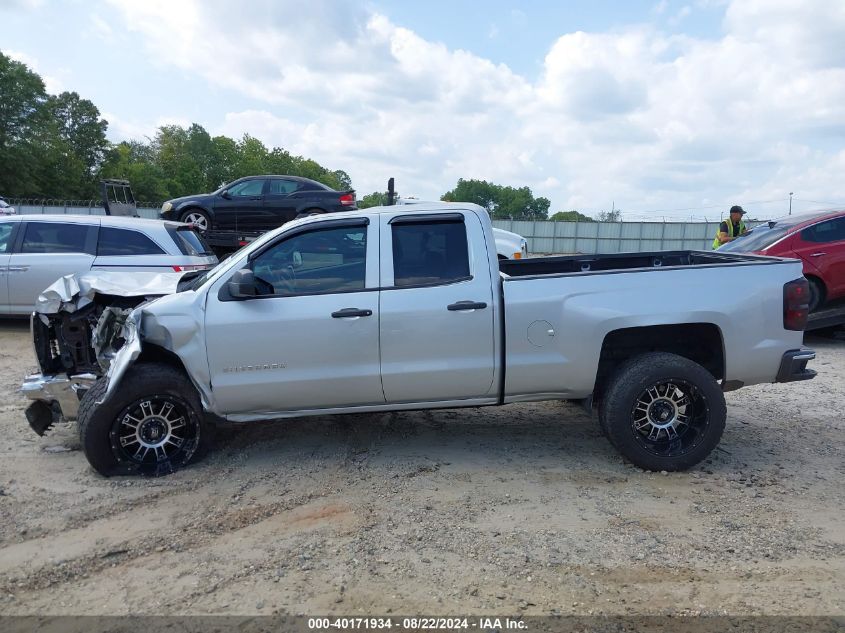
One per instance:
[(516, 437)]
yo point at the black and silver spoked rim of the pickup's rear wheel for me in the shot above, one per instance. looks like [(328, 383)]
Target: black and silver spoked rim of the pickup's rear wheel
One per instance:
[(670, 418)]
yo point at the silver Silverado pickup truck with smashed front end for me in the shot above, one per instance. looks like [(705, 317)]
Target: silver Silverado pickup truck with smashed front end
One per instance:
[(395, 308)]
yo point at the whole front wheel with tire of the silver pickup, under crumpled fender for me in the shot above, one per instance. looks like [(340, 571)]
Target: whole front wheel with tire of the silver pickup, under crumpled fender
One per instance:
[(152, 425)]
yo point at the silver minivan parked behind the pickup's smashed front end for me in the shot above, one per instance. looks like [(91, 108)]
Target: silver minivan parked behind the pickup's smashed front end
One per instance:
[(36, 250)]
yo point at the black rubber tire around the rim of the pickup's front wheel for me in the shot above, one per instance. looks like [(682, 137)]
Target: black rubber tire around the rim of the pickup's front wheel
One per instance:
[(99, 424)]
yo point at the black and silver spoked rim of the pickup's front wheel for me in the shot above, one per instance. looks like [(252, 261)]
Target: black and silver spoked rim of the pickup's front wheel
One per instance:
[(155, 434)]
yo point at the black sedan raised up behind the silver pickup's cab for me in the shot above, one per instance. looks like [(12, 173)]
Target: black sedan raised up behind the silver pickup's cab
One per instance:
[(257, 203)]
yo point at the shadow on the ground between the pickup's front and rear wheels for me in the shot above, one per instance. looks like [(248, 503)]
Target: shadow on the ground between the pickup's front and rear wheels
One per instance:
[(495, 435)]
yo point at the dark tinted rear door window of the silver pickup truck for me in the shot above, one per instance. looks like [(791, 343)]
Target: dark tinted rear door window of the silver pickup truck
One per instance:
[(429, 251)]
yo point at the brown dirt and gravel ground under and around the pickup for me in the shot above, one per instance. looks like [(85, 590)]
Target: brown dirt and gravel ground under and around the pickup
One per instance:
[(524, 509)]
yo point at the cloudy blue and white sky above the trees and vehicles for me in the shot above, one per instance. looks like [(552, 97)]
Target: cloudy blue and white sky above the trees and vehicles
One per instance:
[(663, 108)]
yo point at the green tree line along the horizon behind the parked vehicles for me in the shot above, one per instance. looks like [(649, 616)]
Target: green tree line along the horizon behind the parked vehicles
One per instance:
[(56, 146)]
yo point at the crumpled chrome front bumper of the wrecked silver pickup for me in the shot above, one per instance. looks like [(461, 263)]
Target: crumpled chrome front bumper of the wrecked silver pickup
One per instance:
[(55, 397)]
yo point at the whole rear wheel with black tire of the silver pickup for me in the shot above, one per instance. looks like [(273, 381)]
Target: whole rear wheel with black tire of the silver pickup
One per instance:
[(663, 412)]
